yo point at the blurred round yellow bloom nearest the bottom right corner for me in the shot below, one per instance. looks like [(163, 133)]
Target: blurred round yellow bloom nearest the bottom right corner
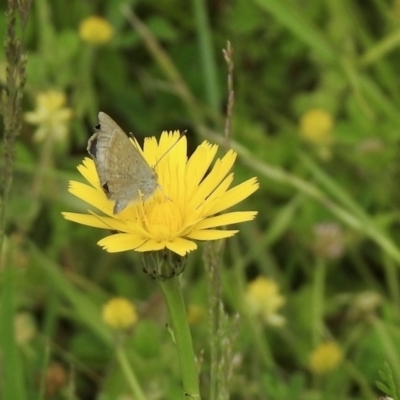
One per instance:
[(325, 358)]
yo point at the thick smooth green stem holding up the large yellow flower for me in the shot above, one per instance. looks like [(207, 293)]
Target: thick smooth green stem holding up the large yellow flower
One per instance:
[(172, 292)]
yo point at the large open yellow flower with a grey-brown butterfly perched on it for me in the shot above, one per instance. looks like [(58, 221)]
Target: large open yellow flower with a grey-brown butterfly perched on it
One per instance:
[(188, 207)]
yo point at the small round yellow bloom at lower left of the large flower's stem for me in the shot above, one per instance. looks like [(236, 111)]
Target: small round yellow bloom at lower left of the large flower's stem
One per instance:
[(119, 313)]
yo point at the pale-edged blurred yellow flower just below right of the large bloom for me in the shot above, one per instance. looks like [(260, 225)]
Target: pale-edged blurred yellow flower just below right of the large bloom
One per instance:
[(263, 300)]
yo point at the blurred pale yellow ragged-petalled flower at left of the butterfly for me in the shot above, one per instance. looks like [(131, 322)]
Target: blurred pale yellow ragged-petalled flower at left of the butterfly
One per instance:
[(50, 115)]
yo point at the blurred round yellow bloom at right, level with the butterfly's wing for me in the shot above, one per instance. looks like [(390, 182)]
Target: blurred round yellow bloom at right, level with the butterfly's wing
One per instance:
[(316, 126)]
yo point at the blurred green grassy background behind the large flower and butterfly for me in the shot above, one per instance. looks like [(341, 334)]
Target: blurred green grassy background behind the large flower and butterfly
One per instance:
[(316, 118)]
